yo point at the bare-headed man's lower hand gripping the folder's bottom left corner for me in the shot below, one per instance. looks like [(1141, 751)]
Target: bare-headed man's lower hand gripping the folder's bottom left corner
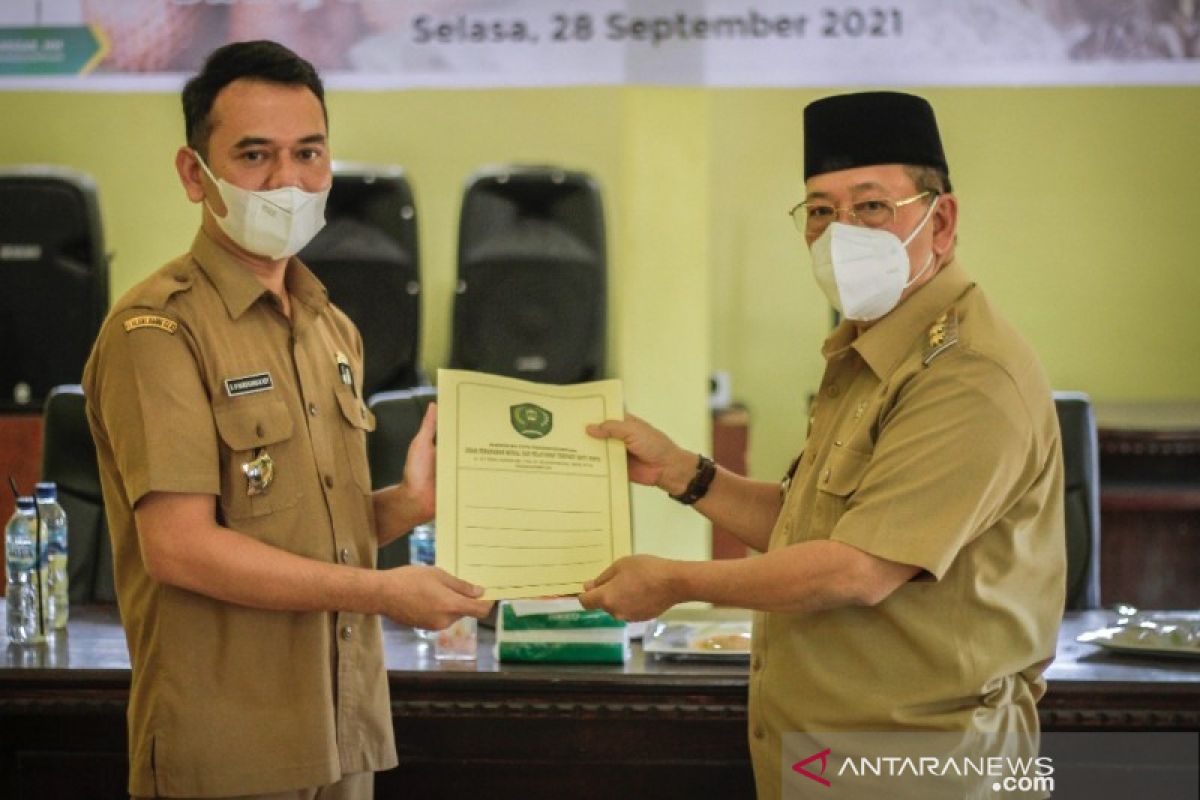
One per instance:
[(430, 598)]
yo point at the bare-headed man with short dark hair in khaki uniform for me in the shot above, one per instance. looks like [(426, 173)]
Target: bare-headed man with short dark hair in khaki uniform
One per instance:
[(225, 398)]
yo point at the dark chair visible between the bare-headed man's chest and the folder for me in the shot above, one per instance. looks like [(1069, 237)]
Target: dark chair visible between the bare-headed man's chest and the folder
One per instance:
[(399, 417)]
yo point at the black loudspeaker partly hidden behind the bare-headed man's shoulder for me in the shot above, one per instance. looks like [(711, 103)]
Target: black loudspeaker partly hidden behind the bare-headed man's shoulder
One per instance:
[(368, 257)]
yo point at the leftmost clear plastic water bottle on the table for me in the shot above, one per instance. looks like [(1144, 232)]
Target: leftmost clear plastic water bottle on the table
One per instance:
[(26, 568)]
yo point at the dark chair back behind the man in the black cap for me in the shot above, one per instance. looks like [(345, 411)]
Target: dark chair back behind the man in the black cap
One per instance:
[(1082, 474)]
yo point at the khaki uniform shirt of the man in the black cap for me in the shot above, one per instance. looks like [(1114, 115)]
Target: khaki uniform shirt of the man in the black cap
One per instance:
[(934, 442)]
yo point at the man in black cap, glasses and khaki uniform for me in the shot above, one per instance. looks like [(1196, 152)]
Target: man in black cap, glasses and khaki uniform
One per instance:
[(914, 569)]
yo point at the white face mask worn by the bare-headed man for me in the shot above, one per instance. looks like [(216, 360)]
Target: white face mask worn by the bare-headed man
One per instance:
[(277, 224)]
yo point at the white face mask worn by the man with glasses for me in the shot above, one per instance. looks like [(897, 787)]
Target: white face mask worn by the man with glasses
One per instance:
[(863, 272)]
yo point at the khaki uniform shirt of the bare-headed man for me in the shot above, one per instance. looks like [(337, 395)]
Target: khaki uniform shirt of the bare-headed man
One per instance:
[(196, 374)]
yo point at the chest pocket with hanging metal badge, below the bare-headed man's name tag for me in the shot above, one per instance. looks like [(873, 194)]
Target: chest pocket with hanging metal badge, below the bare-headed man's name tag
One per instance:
[(250, 430)]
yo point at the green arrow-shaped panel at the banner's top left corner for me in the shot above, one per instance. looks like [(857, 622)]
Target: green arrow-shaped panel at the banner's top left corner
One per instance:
[(67, 51)]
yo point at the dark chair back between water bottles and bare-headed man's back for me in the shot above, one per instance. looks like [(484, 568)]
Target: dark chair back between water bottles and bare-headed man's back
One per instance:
[(69, 459)]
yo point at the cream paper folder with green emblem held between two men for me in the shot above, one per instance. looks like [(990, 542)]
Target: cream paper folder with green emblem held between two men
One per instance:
[(529, 504)]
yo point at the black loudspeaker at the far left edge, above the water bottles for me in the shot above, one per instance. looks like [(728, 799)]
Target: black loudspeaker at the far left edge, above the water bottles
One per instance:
[(53, 281)]
